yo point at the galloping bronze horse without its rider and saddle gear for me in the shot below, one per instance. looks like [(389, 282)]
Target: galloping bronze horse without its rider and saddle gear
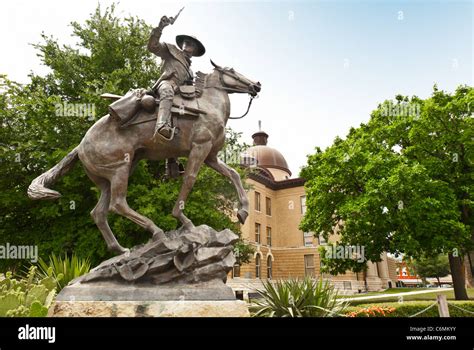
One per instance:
[(110, 153)]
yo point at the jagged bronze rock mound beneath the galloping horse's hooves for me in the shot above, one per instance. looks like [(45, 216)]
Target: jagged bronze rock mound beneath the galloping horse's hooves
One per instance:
[(187, 256)]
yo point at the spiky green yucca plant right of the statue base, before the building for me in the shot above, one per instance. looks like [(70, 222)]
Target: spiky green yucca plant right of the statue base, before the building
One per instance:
[(298, 298)]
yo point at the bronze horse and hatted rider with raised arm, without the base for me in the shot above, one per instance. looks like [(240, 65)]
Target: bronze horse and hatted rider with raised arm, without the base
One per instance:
[(190, 123)]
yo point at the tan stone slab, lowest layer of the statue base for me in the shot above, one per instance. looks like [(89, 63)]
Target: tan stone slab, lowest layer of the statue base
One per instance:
[(185, 308)]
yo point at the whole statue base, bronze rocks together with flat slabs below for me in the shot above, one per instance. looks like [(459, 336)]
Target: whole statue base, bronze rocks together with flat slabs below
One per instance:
[(182, 275)]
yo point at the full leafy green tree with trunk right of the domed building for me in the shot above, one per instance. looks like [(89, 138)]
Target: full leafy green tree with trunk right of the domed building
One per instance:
[(402, 183)]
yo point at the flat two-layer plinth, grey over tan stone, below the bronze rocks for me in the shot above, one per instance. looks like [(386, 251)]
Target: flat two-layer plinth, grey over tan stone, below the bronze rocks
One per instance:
[(116, 299)]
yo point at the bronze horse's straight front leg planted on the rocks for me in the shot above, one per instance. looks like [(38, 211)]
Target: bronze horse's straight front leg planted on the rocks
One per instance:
[(196, 158)]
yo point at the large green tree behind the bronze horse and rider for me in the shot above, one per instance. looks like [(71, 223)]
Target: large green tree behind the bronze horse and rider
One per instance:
[(110, 56)]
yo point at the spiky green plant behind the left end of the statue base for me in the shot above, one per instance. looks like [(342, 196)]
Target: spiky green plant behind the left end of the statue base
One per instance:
[(70, 267)]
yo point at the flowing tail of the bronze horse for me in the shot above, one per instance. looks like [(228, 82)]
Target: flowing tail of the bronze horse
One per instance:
[(38, 188)]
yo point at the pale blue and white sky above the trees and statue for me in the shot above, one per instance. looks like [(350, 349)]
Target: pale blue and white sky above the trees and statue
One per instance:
[(323, 65)]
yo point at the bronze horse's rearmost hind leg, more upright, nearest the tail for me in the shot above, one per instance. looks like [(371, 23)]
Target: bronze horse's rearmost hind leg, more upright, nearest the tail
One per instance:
[(100, 212)]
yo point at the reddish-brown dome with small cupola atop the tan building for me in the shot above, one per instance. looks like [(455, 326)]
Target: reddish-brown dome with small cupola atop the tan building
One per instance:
[(264, 156)]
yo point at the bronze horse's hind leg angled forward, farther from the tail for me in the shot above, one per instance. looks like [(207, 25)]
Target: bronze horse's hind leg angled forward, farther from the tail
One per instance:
[(119, 205)]
